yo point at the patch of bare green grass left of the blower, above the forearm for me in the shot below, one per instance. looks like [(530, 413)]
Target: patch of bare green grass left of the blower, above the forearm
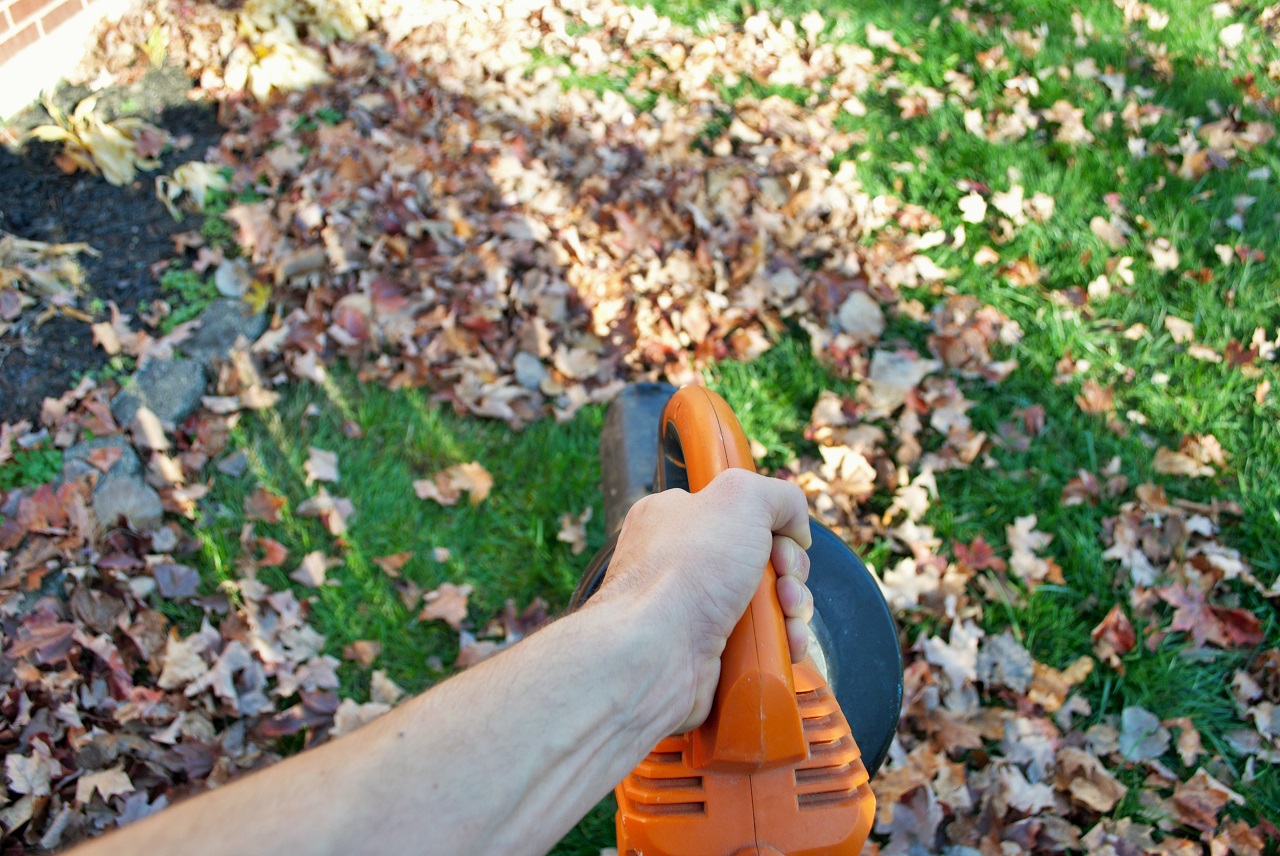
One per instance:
[(506, 547)]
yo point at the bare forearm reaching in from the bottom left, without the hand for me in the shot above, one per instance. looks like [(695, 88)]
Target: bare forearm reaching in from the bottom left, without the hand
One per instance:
[(505, 758)]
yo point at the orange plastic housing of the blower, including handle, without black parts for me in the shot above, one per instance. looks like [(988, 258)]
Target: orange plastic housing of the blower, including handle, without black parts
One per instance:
[(775, 770)]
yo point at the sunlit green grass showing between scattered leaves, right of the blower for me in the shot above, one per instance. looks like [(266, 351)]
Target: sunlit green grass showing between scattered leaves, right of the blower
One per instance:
[(921, 162)]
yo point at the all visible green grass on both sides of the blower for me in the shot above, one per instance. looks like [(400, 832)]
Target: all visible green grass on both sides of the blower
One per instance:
[(508, 547)]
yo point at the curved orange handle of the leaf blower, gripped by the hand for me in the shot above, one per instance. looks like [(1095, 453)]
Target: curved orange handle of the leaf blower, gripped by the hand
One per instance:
[(755, 722)]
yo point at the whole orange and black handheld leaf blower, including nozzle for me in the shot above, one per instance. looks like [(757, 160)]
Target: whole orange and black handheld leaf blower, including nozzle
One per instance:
[(776, 768)]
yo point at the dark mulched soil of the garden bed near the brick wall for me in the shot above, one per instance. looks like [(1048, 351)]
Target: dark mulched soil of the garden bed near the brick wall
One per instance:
[(129, 226)]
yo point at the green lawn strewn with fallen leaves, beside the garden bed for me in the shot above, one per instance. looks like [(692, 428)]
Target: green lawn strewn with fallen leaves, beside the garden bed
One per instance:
[(1007, 308)]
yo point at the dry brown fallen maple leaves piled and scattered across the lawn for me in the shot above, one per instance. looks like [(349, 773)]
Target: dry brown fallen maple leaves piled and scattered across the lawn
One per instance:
[(469, 225)]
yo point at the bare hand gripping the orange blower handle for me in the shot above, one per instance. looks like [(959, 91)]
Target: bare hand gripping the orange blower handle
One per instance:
[(692, 562)]
